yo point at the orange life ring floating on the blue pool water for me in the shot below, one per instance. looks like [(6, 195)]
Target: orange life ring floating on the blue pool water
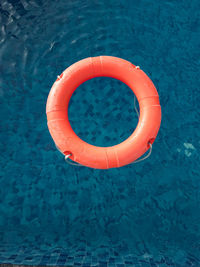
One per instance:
[(103, 157)]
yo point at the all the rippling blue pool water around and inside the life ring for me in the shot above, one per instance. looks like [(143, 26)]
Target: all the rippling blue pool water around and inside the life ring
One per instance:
[(147, 214)]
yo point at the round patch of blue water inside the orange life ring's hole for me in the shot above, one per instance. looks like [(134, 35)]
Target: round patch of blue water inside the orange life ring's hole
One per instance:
[(105, 115)]
